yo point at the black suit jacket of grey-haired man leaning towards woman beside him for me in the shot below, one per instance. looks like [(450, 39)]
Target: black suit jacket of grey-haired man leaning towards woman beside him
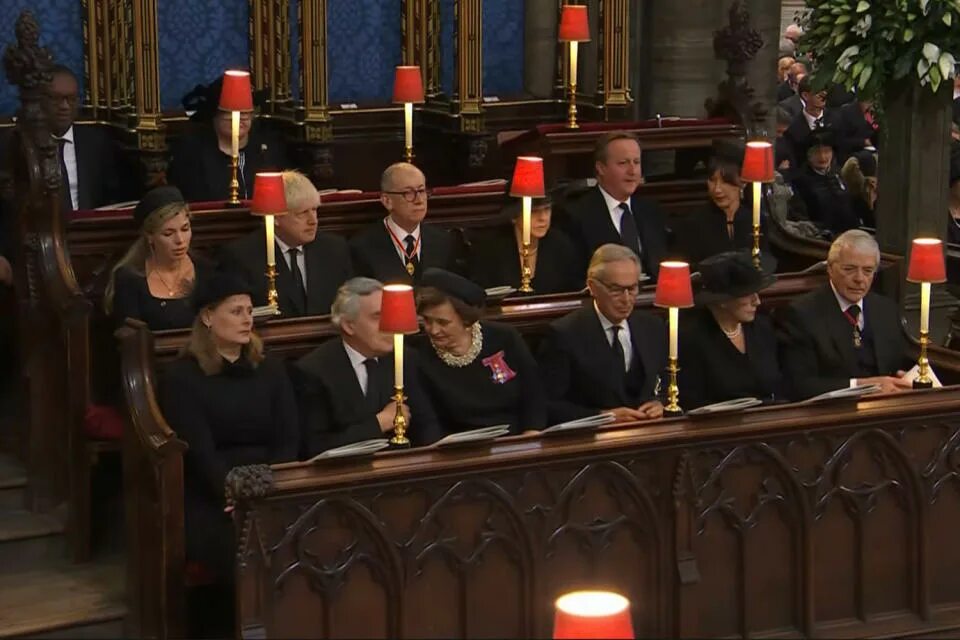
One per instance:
[(334, 410)]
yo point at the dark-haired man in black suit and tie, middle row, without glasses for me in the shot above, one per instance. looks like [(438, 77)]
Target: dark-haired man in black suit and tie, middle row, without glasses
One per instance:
[(611, 212)]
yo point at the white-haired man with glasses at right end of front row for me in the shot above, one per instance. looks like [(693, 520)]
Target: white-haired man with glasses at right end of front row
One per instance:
[(842, 335)]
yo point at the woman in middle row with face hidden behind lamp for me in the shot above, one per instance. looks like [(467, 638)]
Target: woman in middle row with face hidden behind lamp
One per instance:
[(495, 260)]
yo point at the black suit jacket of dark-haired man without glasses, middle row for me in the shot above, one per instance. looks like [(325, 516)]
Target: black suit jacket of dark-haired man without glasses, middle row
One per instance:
[(587, 222)]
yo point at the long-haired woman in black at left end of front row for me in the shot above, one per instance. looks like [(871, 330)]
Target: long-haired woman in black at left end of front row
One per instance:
[(232, 406)]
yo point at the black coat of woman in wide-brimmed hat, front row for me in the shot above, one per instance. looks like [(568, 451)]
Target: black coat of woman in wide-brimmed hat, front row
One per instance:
[(713, 370)]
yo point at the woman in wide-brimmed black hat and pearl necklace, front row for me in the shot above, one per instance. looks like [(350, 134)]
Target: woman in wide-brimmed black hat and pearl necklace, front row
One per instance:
[(728, 350)]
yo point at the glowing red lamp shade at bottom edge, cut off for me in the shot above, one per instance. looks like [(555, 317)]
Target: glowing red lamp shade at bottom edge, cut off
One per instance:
[(592, 614)]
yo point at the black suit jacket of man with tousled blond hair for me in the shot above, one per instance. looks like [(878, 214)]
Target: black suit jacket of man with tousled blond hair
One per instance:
[(327, 262)]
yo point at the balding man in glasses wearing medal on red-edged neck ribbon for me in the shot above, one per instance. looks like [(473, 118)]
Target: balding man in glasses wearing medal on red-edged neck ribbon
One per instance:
[(400, 248)]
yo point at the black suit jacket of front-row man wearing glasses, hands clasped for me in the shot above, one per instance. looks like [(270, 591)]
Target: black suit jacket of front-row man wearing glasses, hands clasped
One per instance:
[(578, 367)]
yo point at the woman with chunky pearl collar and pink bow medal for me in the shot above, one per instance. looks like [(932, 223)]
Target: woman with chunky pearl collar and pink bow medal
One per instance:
[(477, 374)]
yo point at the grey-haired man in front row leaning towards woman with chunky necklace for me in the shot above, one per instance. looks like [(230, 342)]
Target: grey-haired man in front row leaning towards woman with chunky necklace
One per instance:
[(346, 384)]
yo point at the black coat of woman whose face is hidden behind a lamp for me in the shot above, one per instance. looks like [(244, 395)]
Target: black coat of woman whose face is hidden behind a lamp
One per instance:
[(495, 261)]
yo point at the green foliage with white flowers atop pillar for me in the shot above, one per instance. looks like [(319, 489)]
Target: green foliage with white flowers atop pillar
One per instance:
[(870, 43)]
